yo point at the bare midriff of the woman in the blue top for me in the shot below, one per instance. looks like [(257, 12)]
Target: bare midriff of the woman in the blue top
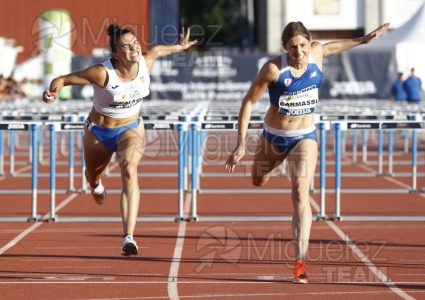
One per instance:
[(276, 120)]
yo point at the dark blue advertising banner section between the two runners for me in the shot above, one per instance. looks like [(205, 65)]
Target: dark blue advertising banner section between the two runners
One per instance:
[(206, 76)]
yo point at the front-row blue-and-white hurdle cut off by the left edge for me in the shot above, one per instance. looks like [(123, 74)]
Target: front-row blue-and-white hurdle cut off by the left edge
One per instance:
[(33, 129)]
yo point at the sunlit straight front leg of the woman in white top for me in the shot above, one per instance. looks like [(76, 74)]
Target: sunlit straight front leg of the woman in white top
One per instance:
[(131, 147)]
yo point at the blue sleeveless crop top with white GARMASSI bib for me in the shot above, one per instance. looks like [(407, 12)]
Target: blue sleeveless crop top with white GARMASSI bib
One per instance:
[(296, 96)]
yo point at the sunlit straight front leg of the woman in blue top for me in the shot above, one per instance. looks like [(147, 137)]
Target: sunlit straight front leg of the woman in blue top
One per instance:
[(302, 164)]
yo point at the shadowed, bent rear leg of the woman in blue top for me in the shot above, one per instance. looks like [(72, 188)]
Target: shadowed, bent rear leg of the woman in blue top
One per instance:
[(266, 160)]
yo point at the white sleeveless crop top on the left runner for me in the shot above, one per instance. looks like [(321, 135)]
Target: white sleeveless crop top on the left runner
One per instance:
[(121, 99)]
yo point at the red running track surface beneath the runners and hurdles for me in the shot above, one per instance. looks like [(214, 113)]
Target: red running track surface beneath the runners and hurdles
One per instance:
[(214, 259)]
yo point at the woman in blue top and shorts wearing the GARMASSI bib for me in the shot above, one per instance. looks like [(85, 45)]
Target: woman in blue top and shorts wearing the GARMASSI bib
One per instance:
[(293, 80)]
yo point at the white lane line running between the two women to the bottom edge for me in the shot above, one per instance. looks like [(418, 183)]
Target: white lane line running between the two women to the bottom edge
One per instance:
[(172, 288)]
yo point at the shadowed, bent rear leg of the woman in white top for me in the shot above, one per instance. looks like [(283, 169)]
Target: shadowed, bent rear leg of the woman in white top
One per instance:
[(96, 157)]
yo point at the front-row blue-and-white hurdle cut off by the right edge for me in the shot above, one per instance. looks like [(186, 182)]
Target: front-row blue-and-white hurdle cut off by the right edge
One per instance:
[(340, 126)]
